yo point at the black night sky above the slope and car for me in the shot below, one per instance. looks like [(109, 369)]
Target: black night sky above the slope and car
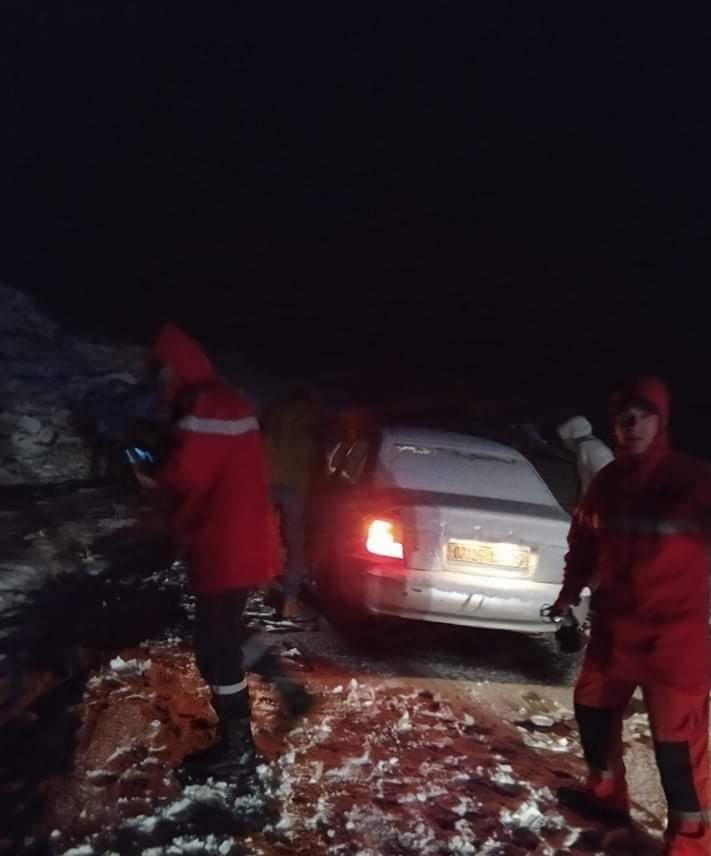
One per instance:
[(514, 193)]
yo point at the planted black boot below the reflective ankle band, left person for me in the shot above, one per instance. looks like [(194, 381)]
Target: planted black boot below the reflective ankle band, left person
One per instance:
[(232, 759)]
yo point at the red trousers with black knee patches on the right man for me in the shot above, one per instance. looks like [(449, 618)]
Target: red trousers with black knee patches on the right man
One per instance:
[(679, 720)]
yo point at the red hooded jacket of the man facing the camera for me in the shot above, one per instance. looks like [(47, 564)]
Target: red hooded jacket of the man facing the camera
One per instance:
[(640, 539)]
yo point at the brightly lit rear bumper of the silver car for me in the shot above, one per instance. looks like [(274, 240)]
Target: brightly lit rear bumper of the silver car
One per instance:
[(469, 600)]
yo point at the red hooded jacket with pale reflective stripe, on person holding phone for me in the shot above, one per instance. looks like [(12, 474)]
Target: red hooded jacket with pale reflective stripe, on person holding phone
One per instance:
[(216, 473)]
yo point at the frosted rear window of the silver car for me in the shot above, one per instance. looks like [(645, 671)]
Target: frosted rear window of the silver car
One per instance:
[(462, 472)]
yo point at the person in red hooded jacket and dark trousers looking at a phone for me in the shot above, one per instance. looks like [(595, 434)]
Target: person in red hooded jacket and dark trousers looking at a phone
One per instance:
[(216, 474)]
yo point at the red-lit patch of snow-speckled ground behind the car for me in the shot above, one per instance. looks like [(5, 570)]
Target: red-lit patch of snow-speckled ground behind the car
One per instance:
[(382, 766)]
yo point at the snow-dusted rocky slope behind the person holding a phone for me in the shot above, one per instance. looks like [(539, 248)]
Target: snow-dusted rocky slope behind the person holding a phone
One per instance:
[(63, 395)]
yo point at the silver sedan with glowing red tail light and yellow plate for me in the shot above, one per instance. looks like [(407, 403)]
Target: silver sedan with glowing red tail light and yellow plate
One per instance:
[(436, 526)]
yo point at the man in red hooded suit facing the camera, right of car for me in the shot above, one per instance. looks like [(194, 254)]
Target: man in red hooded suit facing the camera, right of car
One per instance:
[(640, 539)]
